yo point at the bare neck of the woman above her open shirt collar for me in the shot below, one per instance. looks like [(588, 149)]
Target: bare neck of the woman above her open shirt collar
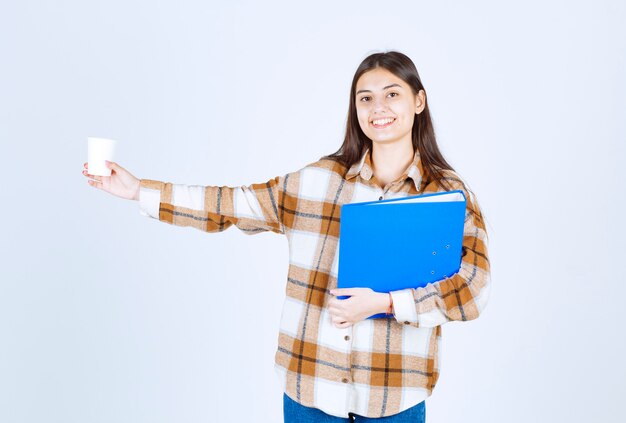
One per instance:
[(390, 160)]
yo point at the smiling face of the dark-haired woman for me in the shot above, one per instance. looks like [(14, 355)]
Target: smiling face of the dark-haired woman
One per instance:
[(386, 106)]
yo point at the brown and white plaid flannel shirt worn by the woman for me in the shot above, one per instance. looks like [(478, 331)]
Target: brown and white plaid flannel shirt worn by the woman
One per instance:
[(377, 367)]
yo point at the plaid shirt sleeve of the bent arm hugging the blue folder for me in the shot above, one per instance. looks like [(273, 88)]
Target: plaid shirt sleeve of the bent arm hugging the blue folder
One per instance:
[(462, 296)]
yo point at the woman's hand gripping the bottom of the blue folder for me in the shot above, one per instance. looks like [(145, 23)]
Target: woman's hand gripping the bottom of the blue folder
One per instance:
[(363, 303)]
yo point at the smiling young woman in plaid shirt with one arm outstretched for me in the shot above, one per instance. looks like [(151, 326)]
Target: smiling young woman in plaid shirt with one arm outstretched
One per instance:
[(335, 365)]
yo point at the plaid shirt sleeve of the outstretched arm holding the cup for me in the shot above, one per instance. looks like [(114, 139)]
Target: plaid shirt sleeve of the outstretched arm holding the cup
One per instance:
[(252, 208)]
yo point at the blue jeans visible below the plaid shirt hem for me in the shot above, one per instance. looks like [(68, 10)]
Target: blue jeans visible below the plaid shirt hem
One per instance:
[(297, 413)]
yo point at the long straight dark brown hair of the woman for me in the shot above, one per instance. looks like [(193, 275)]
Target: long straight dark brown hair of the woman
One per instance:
[(423, 135)]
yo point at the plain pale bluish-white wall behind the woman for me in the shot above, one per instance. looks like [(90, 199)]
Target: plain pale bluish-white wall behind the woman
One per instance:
[(108, 316)]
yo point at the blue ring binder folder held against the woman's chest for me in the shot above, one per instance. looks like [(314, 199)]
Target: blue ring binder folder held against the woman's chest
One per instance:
[(400, 243)]
